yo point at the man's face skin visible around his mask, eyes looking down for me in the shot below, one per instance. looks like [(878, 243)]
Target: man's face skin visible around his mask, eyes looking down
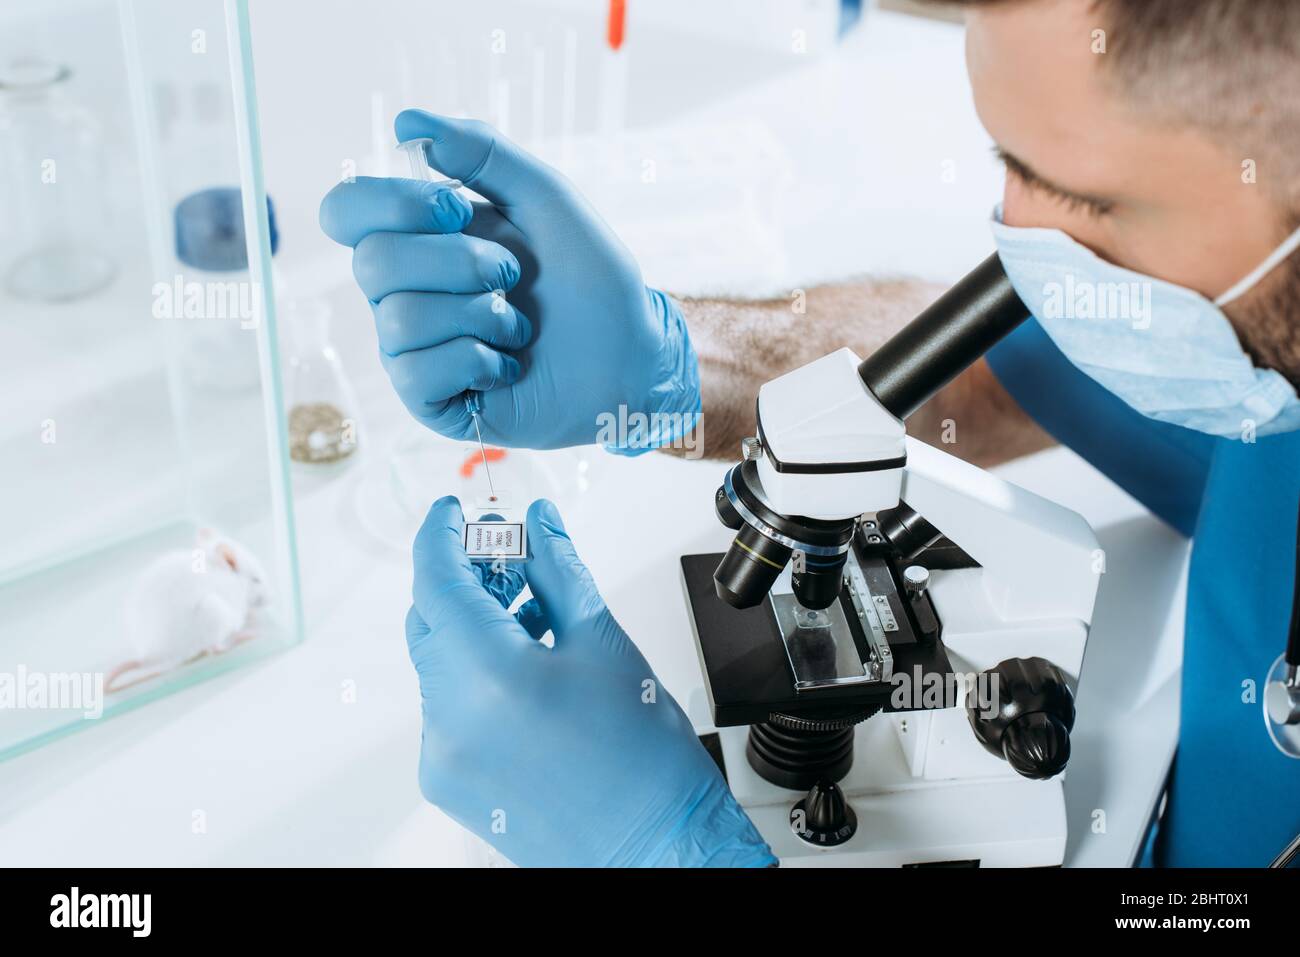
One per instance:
[(1163, 201)]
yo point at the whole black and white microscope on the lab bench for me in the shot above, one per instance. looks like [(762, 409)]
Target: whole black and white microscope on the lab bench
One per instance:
[(892, 643)]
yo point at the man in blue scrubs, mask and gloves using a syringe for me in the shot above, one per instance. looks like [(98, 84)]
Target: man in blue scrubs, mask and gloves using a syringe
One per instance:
[(1146, 141)]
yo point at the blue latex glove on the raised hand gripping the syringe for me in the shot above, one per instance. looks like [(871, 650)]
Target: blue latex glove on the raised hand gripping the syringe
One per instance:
[(535, 301)]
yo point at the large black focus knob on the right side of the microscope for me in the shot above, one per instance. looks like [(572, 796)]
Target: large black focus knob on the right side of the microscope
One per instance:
[(1024, 712)]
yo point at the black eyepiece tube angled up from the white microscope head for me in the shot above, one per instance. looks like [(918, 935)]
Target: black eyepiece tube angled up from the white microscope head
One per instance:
[(938, 345)]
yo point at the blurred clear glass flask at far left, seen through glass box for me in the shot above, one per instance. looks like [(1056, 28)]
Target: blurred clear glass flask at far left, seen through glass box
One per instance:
[(57, 210)]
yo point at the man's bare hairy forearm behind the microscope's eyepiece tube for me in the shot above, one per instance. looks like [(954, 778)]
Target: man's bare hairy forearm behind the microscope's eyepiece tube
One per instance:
[(743, 345)]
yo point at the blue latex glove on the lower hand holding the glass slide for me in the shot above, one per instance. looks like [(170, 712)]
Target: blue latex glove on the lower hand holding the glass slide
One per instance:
[(566, 756)]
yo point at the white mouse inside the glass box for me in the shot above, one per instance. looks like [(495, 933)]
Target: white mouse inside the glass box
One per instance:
[(188, 605)]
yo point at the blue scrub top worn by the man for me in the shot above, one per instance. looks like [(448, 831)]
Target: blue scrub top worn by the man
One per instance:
[(1234, 798)]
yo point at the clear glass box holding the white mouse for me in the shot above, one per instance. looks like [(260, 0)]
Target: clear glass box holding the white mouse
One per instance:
[(146, 529)]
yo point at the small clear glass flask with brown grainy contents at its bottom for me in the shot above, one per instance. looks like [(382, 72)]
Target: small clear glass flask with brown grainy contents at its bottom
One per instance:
[(322, 406)]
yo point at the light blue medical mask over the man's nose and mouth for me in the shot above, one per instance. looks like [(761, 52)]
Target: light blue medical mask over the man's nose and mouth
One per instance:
[(1168, 352)]
